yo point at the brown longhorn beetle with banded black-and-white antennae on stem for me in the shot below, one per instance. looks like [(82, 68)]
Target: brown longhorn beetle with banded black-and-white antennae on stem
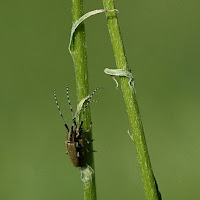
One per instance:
[(76, 144)]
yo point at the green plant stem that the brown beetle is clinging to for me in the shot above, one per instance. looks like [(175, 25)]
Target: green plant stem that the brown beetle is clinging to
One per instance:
[(78, 51)]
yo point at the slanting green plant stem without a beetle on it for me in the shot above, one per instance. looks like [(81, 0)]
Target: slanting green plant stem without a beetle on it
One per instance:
[(131, 105)]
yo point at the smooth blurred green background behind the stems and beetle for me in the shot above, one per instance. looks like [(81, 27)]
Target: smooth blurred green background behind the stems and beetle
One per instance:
[(162, 44)]
